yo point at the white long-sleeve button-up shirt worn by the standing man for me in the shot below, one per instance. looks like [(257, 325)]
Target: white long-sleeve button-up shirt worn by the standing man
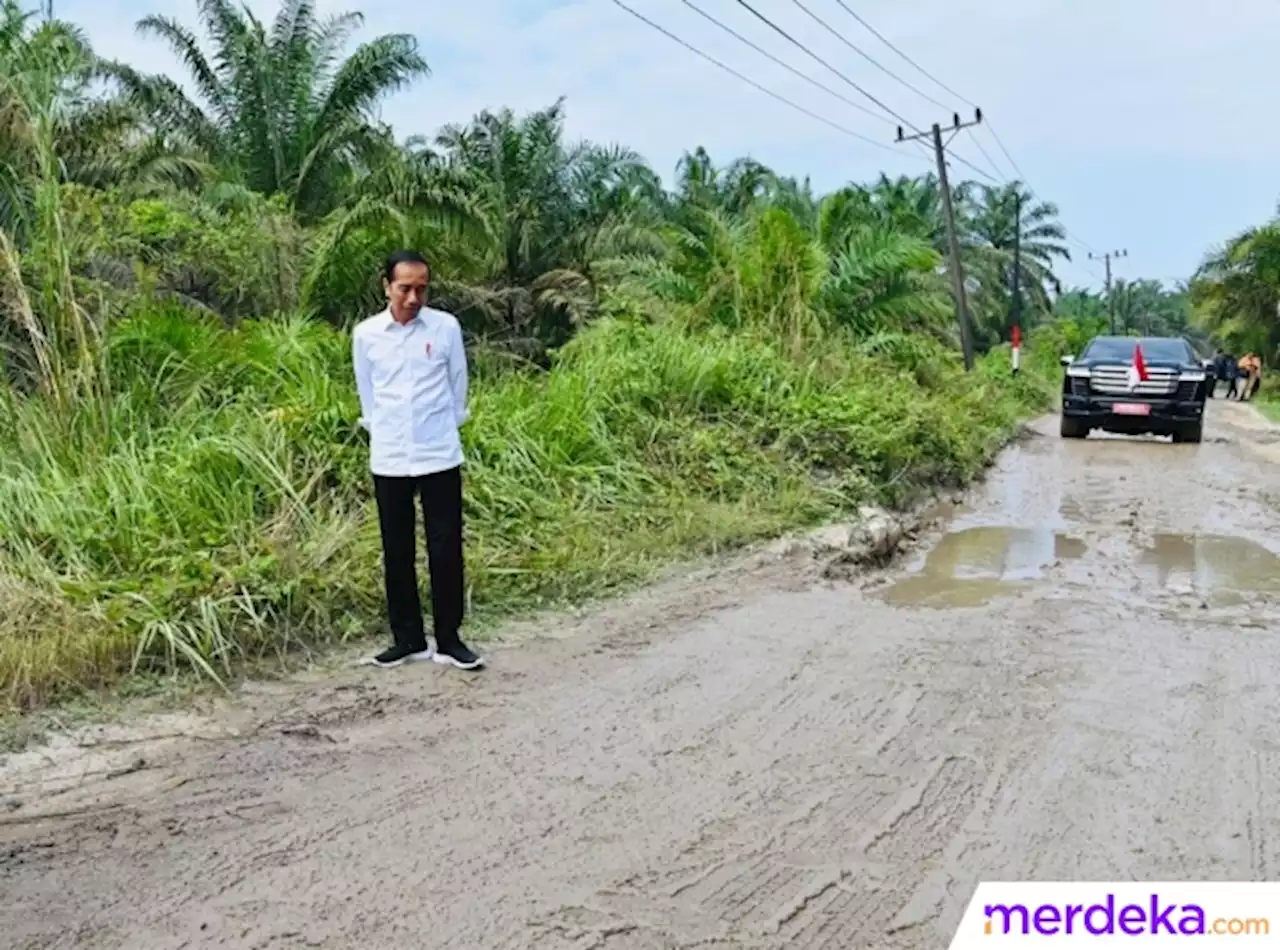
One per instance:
[(413, 385)]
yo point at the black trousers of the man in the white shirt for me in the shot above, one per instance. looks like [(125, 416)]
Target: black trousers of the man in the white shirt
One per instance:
[(441, 495)]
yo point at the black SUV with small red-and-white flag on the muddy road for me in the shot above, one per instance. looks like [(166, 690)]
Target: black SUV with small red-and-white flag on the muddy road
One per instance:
[(1100, 391)]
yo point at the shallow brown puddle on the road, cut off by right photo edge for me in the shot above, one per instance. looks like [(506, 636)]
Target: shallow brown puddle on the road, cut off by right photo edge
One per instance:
[(1226, 569)]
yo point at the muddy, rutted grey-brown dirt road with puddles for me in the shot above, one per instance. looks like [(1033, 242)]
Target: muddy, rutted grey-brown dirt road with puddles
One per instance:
[(1078, 677)]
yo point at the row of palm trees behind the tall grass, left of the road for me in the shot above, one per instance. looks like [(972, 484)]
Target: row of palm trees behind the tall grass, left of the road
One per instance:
[(272, 186)]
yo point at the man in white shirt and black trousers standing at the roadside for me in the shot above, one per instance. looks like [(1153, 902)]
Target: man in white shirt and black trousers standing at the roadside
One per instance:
[(412, 374)]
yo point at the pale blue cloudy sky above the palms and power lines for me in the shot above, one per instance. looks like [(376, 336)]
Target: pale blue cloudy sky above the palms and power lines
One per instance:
[(1146, 122)]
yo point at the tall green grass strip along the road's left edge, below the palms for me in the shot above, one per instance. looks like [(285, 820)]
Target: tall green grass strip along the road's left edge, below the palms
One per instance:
[(213, 505)]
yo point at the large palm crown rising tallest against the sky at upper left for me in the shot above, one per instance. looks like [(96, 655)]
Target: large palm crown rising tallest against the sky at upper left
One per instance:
[(280, 111)]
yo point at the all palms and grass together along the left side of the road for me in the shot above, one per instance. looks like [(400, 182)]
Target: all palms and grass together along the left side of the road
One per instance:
[(660, 372)]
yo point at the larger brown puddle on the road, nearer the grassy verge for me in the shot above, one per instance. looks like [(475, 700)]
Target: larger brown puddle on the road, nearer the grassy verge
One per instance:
[(972, 567)]
